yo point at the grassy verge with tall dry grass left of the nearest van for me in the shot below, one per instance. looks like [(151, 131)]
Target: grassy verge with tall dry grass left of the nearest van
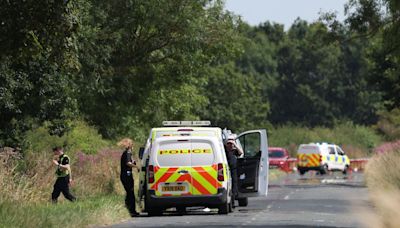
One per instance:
[(25, 195)]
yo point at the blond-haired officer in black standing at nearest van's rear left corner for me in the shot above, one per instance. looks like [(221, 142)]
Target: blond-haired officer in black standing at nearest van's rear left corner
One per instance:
[(126, 176)]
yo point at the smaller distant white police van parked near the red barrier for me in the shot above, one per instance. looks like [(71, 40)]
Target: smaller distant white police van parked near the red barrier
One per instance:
[(322, 157)]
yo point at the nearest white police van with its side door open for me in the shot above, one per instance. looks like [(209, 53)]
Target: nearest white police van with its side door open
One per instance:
[(184, 165)]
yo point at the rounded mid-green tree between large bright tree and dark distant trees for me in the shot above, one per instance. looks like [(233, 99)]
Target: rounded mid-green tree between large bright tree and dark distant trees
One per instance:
[(235, 100)]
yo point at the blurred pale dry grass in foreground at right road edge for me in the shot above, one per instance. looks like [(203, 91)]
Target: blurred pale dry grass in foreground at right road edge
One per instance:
[(383, 180)]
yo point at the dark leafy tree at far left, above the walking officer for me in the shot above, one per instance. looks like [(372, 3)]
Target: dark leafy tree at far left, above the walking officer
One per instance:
[(37, 58)]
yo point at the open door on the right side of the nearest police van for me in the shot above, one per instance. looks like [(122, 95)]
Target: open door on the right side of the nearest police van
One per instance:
[(253, 166)]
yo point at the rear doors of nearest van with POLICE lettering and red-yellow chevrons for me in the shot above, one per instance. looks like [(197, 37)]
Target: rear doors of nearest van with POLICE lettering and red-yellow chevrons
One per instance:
[(185, 166)]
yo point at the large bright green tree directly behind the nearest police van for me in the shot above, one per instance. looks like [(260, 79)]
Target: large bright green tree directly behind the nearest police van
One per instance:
[(142, 63)]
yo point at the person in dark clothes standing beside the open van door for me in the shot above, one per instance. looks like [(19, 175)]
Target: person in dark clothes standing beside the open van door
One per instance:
[(232, 153)]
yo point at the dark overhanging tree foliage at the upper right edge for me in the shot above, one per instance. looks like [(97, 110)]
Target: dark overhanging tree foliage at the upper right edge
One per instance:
[(379, 21)]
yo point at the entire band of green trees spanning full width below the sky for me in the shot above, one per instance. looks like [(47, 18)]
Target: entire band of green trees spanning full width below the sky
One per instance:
[(124, 66)]
